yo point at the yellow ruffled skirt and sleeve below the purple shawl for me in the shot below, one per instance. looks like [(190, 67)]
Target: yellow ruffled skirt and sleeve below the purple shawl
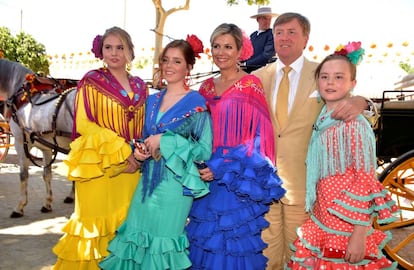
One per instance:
[(102, 197)]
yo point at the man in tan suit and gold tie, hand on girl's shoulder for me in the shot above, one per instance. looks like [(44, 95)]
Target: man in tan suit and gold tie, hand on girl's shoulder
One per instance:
[(291, 34)]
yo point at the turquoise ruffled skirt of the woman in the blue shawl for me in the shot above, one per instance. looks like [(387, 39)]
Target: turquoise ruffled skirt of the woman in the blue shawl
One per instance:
[(153, 236)]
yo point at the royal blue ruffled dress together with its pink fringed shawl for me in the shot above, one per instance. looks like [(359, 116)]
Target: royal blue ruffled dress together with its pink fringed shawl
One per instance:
[(225, 226)]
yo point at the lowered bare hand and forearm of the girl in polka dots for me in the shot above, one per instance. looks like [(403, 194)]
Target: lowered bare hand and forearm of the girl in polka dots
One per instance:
[(355, 251)]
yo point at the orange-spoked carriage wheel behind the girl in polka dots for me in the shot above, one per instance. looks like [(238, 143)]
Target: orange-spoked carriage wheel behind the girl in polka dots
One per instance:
[(398, 178)]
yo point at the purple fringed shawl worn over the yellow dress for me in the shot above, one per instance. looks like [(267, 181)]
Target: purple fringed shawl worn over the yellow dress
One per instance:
[(109, 105)]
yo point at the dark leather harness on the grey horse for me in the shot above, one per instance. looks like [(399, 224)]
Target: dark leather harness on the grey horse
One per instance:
[(30, 92)]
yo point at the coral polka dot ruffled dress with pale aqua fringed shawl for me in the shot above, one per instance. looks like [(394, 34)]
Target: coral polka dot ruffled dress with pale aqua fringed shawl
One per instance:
[(345, 193)]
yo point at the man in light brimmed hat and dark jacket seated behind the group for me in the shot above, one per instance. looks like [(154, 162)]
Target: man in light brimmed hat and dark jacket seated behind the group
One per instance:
[(262, 40)]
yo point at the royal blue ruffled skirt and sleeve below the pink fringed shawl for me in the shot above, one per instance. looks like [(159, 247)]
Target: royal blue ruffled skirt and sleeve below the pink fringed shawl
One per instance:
[(225, 226)]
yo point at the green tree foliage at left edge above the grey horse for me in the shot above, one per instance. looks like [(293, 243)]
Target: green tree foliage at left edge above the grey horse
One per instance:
[(24, 49)]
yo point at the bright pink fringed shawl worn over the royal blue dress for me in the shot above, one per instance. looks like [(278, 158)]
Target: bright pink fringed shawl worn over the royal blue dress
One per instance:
[(240, 115)]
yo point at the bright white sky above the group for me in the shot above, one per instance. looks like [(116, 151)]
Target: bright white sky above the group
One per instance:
[(65, 26)]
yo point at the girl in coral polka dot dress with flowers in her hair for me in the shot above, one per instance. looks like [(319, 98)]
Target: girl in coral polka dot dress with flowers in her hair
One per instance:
[(343, 193)]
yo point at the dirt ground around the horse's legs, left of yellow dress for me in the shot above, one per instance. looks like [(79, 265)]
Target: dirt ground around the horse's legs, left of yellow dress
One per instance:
[(26, 242)]
